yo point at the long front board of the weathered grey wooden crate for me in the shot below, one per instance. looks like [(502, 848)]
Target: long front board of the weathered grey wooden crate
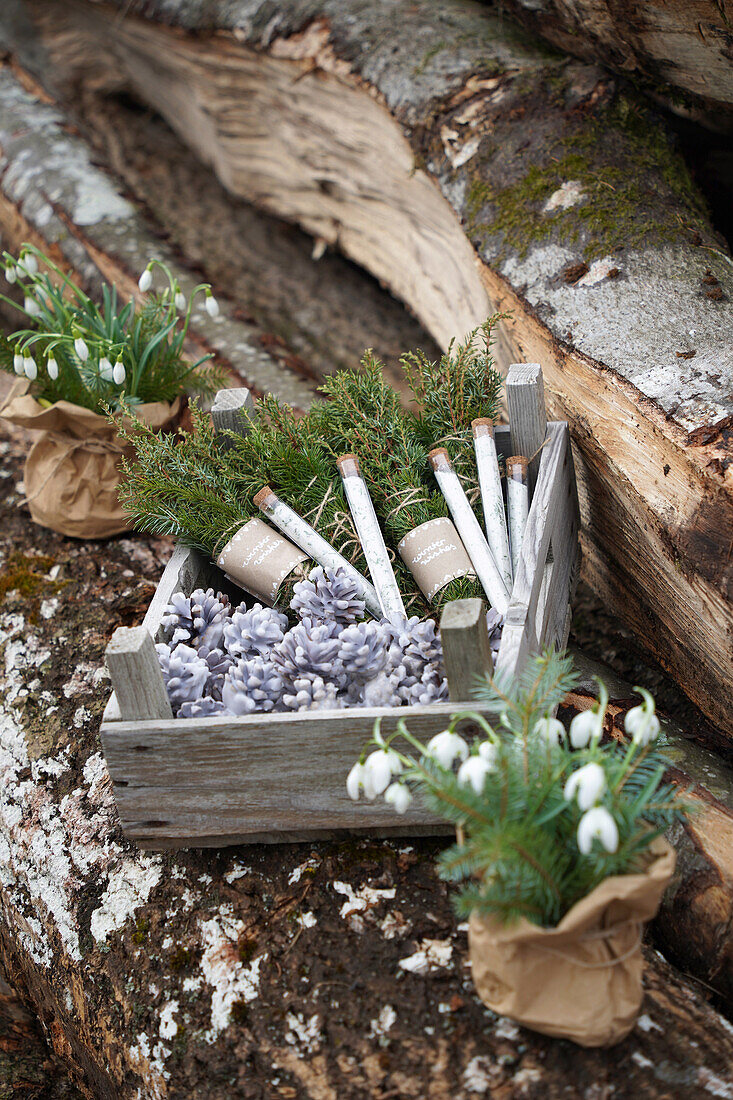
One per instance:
[(258, 776)]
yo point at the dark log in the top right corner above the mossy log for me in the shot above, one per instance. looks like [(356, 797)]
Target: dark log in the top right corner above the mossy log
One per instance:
[(680, 51)]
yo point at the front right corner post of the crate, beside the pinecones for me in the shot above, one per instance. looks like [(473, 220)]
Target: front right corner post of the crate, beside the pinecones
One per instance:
[(466, 650)]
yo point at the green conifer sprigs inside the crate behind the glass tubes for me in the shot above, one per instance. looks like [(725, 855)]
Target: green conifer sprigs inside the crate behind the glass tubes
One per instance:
[(201, 492)]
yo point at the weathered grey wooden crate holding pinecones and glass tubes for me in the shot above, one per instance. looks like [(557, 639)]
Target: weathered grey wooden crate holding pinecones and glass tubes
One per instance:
[(282, 777)]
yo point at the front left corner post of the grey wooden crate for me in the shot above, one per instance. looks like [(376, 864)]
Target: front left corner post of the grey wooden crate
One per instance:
[(136, 674)]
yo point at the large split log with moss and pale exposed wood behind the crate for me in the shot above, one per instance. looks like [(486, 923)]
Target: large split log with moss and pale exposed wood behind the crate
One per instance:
[(468, 171)]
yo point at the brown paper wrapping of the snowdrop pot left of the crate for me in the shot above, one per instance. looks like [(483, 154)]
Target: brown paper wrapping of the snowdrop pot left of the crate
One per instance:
[(73, 469)]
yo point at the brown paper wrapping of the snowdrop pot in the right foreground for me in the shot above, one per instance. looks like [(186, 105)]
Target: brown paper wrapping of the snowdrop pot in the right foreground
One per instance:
[(583, 980)]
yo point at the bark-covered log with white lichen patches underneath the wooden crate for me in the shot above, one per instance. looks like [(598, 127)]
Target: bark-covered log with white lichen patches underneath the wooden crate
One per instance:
[(321, 972)]
